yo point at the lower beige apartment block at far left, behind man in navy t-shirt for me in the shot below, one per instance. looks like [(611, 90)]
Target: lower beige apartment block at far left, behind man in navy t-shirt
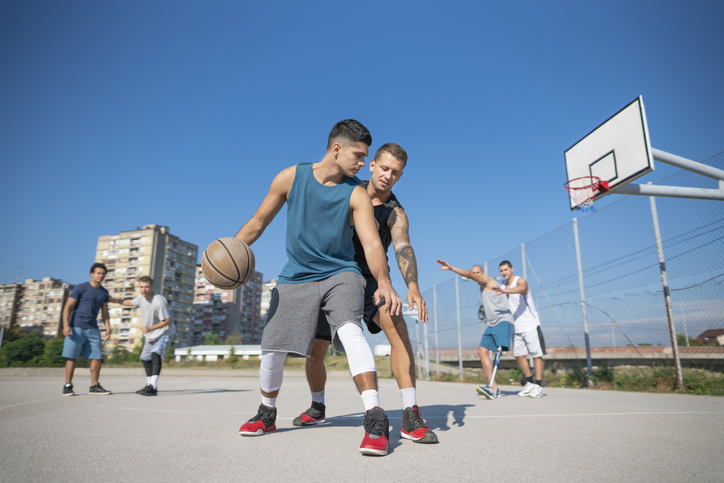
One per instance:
[(40, 305)]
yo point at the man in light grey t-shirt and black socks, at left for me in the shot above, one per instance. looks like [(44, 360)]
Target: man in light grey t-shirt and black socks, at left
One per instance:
[(158, 331)]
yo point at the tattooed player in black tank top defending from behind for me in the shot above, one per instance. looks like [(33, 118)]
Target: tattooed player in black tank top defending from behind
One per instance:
[(386, 167)]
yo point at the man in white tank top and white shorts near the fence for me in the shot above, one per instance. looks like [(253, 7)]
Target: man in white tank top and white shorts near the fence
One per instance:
[(528, 338)]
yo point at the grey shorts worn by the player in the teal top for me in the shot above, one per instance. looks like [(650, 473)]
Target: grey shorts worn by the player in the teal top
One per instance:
[(294, 308)]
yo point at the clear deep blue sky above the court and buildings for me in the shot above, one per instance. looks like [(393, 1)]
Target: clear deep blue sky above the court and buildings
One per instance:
[(118, 114)]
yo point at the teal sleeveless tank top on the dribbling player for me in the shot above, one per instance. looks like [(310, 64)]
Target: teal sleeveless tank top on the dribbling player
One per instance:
[(319, 236)]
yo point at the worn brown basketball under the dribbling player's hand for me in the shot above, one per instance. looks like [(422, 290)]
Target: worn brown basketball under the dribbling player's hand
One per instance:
[(228, 263)]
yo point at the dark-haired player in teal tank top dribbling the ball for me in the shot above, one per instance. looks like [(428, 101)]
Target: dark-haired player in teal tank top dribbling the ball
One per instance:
[(319, 275)]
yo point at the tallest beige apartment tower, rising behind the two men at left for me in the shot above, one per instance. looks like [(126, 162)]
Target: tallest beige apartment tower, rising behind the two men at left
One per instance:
[(168, 260)]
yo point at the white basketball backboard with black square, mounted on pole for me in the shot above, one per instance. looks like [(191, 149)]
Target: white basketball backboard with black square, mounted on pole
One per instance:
[(617, 151)]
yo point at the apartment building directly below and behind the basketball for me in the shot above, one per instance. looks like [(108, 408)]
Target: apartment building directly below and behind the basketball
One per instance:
[(225, 312)]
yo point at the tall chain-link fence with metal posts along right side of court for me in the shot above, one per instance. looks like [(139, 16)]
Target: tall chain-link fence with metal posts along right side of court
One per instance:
[(617, 296)]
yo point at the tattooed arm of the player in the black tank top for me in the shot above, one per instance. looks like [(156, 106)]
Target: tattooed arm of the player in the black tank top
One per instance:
[(405, 255)]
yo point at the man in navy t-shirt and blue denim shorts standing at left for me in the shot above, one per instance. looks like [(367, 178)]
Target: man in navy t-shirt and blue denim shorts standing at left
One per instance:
[(80, 329)]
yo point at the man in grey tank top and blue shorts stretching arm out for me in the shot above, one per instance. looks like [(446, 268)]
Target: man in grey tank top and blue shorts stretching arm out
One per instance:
[(499, 331)]
